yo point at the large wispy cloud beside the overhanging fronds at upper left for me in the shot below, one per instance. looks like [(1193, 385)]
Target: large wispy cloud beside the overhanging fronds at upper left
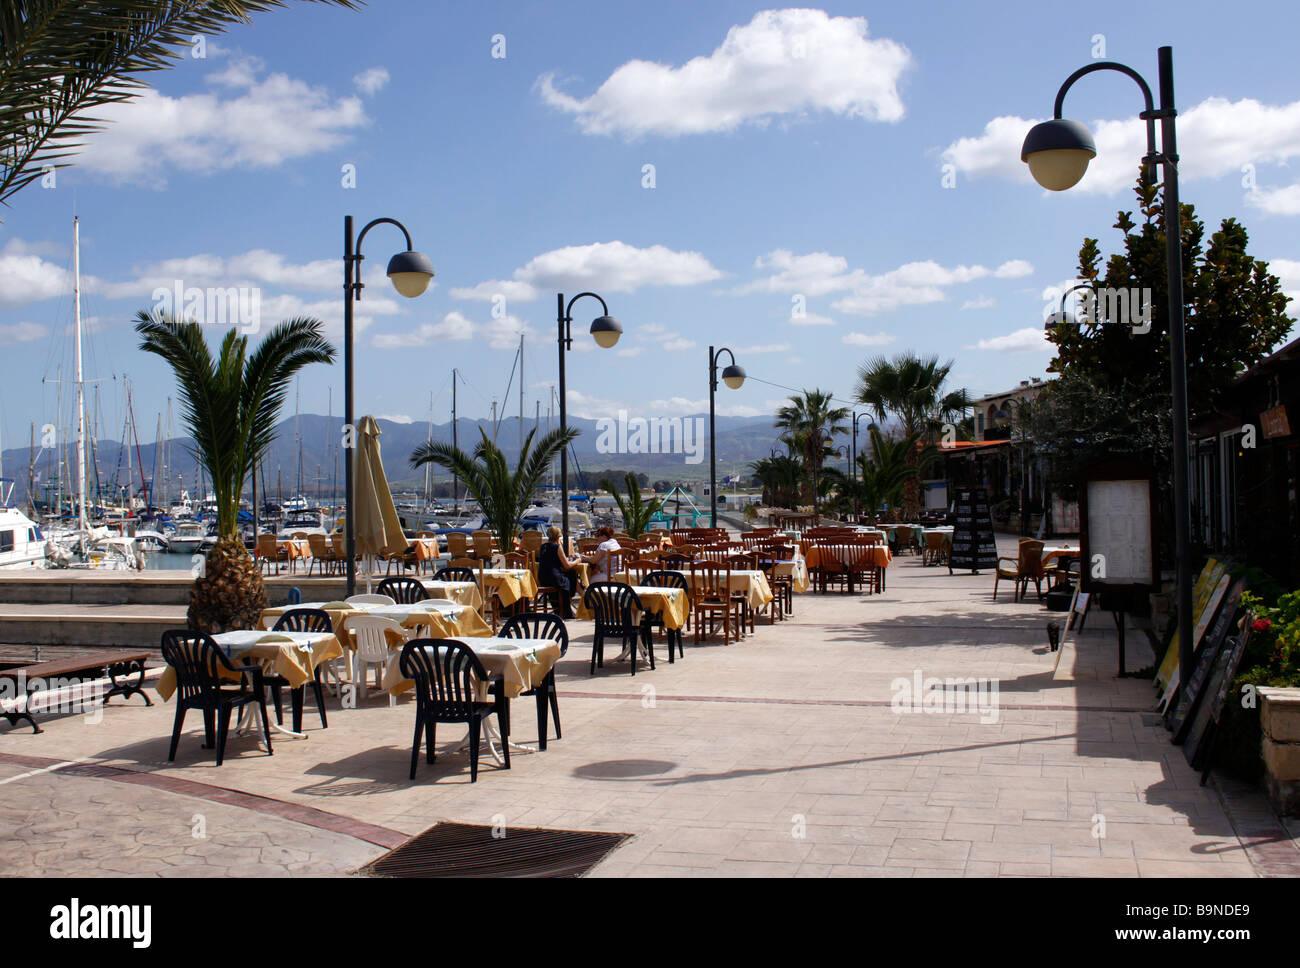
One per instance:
[(265, 124)]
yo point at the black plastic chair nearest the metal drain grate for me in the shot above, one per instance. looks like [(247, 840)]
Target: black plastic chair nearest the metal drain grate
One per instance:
[(444, 672)]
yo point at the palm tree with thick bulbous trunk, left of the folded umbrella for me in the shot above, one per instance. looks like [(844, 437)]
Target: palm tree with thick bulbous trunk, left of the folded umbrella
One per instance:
[(231, 405)]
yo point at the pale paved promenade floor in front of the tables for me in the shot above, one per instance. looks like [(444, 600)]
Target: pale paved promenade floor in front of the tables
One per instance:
[(781, 756)]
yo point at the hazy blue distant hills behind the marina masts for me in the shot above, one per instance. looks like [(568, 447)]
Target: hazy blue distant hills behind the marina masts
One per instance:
[(740, 440)]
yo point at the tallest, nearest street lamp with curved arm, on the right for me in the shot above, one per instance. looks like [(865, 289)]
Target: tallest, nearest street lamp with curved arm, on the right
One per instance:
[(1059, 153)]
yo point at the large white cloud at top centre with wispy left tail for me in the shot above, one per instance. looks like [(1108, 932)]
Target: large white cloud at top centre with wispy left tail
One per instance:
[(782, 64)]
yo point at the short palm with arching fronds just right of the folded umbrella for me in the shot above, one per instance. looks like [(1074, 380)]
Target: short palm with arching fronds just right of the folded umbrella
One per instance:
[(502, 496)]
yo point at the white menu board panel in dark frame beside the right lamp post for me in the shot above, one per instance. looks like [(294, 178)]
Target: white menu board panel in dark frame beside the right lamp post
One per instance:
[(1120, 531)]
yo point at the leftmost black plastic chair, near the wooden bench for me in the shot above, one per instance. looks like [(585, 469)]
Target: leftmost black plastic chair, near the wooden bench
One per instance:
[(198, 663)]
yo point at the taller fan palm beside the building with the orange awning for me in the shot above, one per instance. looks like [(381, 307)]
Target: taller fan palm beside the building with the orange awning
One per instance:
[(911, 389)]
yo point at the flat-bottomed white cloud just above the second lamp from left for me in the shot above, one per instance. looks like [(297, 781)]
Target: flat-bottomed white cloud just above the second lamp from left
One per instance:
[(609, 267)]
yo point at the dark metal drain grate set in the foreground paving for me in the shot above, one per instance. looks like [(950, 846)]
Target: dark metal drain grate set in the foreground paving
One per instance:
[(470, 850)]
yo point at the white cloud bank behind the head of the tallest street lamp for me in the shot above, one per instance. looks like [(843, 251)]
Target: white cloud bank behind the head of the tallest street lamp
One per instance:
[(1216, 138)]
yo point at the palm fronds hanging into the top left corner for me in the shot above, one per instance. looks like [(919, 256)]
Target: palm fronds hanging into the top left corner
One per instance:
[(60, 62)]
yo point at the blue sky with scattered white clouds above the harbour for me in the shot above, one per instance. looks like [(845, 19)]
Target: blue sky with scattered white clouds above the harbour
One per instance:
[(799, 211)]
